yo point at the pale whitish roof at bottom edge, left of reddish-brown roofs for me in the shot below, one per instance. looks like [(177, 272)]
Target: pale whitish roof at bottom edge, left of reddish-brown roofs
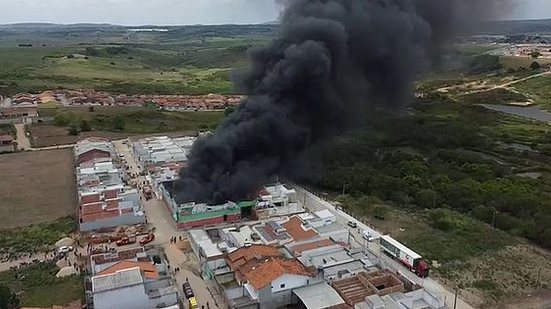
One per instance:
[(318, 296)]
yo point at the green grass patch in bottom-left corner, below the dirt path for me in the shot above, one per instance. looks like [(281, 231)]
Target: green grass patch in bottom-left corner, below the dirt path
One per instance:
[(37, 285)]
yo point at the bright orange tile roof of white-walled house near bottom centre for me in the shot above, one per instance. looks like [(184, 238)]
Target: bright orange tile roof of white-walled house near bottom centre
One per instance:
[(262, 275)]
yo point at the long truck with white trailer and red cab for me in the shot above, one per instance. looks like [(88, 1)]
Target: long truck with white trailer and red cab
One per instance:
[(413, 261)]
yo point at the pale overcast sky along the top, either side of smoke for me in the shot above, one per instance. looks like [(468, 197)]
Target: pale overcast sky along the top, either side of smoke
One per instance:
[(176, 12)]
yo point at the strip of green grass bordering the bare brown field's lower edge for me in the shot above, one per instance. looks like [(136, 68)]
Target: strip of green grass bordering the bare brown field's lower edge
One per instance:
[(36, 237)]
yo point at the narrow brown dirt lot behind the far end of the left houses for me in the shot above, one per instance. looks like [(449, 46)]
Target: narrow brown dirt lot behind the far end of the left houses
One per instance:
[(44, 135)]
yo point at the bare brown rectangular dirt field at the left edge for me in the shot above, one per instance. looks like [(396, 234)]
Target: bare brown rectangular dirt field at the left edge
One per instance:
[(36, 187)]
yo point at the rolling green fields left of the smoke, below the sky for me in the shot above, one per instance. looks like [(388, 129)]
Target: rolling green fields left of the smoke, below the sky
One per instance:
[(180, 62)]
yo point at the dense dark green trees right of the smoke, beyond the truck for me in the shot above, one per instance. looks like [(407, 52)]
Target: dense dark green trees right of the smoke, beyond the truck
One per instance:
[(442, 175)]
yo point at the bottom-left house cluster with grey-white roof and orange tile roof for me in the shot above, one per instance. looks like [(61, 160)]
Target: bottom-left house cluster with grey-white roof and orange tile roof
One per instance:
[(130, 278)]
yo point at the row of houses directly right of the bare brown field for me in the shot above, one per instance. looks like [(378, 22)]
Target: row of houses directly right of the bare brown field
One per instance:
[(104, 199)]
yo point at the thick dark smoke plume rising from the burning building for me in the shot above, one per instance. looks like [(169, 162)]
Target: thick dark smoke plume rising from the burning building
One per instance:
[(331, 59)]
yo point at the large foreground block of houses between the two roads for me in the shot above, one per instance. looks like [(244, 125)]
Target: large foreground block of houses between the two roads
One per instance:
[(303, 260)]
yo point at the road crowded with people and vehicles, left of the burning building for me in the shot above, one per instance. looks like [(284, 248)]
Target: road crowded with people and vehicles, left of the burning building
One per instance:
[(159, 217)]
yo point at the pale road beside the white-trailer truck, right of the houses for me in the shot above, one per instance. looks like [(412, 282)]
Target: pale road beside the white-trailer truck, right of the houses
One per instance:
[(313, 203)]
